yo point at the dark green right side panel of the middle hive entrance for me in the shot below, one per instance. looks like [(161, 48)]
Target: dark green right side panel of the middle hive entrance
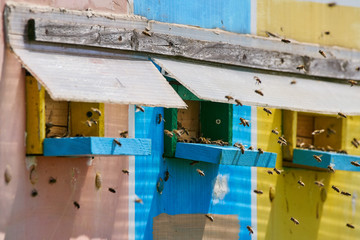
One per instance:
[(216, 121)]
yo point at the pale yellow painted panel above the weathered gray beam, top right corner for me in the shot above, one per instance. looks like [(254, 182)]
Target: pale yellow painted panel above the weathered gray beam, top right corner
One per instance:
[(307, 21)]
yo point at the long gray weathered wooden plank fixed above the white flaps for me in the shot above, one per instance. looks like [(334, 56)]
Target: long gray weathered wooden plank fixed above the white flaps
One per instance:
[(238, 54)]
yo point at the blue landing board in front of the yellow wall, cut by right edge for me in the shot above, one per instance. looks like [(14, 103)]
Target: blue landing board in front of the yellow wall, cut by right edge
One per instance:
[(336, 160)]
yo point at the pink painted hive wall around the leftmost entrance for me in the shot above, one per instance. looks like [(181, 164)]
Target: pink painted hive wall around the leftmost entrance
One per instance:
[(51, 214)]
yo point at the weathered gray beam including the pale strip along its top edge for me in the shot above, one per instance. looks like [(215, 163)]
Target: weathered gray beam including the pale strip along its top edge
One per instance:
[(173, 40)]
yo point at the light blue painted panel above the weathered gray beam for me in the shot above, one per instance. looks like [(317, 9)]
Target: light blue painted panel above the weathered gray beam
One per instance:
[(230, 15)]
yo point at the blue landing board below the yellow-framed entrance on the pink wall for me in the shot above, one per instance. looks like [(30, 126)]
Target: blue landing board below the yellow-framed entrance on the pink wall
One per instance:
[(86, 146)]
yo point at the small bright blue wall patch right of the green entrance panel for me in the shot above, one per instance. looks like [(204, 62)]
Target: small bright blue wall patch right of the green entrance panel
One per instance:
[(241, 134)]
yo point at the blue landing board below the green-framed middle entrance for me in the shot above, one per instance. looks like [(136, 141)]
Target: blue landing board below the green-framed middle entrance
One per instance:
[(224, 155)]
